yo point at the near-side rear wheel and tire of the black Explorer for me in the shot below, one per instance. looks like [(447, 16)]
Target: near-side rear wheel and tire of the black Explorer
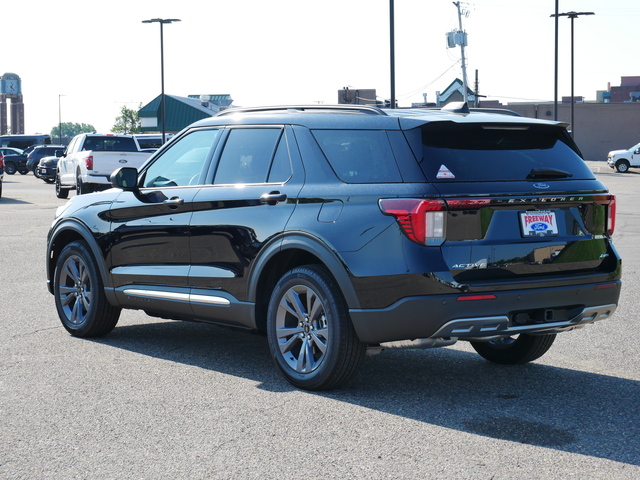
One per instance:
[(310, 334)]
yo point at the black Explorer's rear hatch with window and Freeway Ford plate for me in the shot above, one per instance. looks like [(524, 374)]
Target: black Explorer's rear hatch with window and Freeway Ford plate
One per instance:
[(518, 204)]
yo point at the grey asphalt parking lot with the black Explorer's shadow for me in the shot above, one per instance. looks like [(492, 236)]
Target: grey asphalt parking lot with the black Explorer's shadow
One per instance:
[(161, 399)]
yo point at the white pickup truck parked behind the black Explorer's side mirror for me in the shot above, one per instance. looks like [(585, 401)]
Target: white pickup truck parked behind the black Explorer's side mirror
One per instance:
[(91, 158)]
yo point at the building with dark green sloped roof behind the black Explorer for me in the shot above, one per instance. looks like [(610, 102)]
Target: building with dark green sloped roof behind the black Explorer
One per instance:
[(180, 111)]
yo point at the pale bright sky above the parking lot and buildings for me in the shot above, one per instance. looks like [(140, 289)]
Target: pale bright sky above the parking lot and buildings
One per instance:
[(81, 61)]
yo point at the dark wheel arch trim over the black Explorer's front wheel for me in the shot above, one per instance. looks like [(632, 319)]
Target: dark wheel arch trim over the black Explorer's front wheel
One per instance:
[(65, 233)]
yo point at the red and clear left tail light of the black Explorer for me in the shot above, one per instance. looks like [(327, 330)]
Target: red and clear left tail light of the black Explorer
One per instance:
[(423, 221)]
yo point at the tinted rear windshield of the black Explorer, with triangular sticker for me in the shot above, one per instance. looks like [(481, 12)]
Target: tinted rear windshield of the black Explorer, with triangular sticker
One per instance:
[(479, 153)]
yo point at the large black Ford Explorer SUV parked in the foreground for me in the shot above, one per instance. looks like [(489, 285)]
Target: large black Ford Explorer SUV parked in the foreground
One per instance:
[(337, 229)]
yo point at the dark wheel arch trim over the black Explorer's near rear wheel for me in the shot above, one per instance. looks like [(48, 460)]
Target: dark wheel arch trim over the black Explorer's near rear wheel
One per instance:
[(289, 252)]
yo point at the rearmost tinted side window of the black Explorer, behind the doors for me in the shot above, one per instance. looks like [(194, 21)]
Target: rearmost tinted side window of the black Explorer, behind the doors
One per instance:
[(359, 156)]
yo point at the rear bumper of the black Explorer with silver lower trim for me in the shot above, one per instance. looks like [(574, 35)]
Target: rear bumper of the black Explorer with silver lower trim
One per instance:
[(552, 310)]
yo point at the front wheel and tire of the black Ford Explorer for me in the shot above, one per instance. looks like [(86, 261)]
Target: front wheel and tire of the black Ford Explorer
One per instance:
[(79, 294)]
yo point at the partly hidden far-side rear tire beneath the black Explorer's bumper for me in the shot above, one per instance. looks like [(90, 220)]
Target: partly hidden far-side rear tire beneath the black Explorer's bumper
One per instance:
[(514, 350)]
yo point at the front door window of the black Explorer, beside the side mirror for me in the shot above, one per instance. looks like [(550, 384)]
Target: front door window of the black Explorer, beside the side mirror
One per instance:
[(182, 163)]
